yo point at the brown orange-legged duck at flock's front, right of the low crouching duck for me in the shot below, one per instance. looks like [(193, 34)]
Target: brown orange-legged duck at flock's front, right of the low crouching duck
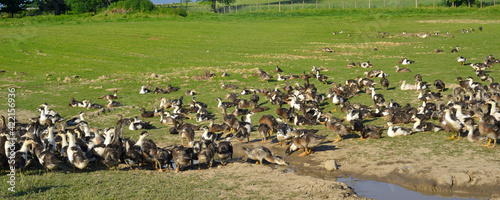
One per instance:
[(306, 141)]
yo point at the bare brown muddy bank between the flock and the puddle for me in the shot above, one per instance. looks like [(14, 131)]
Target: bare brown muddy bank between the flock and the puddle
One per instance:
[(426, 177)]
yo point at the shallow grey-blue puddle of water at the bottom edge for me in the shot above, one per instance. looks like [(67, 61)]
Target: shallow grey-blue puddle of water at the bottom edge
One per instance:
[(386, 191)]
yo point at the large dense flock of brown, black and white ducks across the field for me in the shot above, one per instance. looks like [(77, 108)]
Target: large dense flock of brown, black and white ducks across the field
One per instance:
[(49, 141)]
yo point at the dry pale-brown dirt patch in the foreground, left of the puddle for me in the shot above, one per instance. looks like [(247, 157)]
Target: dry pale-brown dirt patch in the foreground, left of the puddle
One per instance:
[(270, 182)]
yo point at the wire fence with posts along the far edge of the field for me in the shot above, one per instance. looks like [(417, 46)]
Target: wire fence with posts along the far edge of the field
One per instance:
[(290, 6)]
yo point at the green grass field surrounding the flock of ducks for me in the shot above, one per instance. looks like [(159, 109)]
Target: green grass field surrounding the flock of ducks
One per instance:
[(122, 51)]
